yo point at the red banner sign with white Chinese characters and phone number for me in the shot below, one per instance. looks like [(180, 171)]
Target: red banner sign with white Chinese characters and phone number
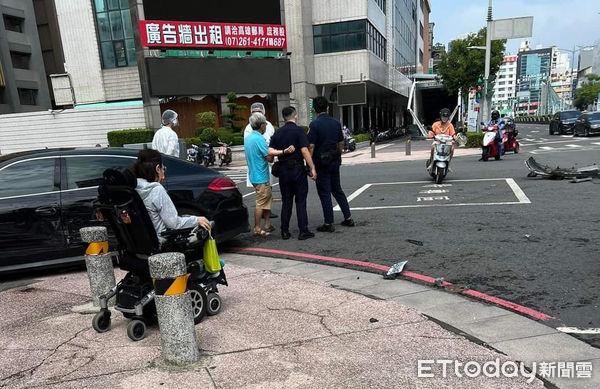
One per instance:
[(206, 35)]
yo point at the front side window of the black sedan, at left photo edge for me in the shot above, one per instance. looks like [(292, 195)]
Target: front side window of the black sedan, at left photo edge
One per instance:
[(28, 177)]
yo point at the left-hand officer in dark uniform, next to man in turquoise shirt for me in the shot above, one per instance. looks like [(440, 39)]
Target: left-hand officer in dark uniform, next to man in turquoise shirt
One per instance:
[(293, 183)]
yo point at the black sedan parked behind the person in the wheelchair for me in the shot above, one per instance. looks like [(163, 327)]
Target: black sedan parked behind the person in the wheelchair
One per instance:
[(46, 197)]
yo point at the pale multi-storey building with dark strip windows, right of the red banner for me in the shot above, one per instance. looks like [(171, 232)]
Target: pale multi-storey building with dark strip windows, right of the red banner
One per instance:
[(344, 42)]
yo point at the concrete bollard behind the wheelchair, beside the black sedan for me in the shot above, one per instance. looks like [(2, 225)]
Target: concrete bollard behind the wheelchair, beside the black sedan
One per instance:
[(98, 263)]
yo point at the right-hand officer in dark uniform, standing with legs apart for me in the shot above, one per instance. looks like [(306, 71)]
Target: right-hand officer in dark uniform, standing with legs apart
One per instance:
[(326, 146)]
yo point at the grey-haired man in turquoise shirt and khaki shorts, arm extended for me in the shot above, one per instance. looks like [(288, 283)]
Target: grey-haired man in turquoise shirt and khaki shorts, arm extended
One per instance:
[(256, 150)]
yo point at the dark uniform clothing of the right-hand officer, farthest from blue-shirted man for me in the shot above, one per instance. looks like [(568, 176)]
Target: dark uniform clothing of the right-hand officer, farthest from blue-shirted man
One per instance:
[(325, 133)]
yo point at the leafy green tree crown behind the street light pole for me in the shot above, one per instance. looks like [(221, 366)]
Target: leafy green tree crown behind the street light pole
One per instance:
[(461, 67)]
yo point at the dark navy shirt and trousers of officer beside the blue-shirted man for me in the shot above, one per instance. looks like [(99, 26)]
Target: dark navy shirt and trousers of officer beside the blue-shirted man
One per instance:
[(292, 177)]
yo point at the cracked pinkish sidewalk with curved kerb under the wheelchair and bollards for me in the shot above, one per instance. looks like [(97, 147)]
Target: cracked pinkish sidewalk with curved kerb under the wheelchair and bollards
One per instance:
[(284, 324)]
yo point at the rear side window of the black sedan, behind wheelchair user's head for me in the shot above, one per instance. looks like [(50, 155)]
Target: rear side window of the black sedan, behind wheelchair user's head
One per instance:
[(85, 172)]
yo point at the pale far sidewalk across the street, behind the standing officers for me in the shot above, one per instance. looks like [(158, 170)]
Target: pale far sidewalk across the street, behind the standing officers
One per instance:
[(392, 151)]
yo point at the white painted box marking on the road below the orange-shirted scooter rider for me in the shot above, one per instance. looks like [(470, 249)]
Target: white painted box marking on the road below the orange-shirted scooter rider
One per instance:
[(518, 192)]
